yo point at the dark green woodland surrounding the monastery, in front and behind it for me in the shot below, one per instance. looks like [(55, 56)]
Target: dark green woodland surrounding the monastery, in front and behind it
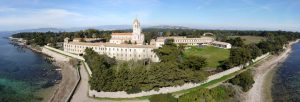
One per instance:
[(174, 68)]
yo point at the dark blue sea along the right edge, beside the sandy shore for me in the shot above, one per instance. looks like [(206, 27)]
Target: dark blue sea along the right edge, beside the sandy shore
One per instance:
[(286, 82)]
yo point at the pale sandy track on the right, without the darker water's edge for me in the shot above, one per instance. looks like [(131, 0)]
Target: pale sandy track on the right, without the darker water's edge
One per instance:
[(256, 93)]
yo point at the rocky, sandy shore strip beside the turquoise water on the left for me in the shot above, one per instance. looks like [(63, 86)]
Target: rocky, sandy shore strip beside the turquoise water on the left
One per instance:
[(58, 92)]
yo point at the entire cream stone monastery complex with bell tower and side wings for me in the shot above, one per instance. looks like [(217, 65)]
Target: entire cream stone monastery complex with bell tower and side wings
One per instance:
[(119, 49)]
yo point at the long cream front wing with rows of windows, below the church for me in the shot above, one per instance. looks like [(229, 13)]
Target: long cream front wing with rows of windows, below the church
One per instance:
[(118, 51)]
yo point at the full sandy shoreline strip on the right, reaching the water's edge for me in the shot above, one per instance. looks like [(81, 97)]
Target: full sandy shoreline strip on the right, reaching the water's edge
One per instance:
[(260, 92)]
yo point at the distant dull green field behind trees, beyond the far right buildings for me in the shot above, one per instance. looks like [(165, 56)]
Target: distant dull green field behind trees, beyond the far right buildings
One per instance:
[(250, 39)]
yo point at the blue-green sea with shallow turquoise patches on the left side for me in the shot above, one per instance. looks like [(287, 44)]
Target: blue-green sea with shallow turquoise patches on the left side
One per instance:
[(23, 74)]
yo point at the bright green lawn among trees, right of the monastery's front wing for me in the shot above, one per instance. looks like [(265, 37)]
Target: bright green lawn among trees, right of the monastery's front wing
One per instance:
[(213, 54)]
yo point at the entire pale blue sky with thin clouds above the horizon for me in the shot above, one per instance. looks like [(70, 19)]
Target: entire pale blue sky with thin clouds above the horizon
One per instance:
[(203, 14)]
